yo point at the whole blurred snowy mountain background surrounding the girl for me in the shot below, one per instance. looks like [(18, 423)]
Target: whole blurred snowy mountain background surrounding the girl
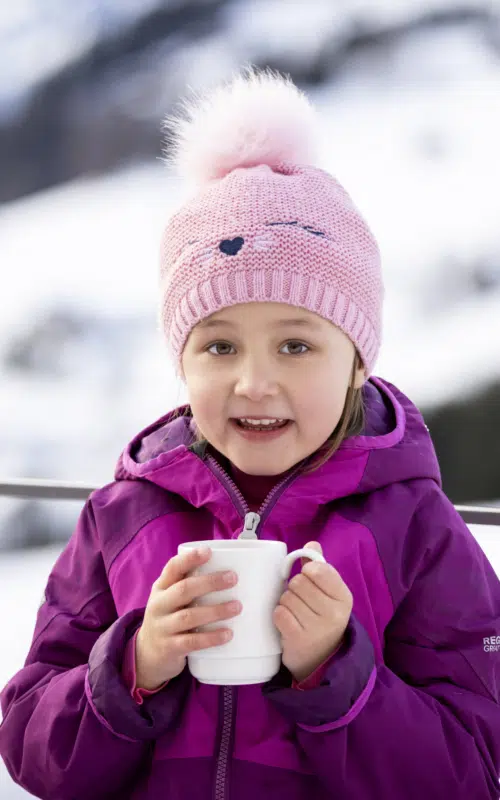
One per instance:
[(409, 97)]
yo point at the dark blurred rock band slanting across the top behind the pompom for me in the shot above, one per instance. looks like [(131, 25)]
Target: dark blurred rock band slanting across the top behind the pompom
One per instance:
[(105, 109)]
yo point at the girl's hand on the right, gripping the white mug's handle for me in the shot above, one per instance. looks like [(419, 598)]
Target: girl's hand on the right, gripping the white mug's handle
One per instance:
[(312, 616)]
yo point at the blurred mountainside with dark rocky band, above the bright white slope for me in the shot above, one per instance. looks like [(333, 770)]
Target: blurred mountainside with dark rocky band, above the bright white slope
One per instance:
[(85, 84)]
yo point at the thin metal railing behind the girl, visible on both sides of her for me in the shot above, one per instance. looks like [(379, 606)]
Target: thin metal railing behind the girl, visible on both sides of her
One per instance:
[(60, 490)]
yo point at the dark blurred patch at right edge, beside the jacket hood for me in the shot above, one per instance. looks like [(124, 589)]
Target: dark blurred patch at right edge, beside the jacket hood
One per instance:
[(466, 435)]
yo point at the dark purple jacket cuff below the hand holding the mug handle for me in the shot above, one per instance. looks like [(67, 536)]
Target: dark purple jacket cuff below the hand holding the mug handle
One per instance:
[(344, 679)]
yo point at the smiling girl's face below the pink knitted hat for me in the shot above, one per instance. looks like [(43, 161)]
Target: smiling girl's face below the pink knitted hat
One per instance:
[(268, 360)]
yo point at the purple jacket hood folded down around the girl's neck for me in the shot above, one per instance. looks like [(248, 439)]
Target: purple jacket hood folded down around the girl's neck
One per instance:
[(395, 446)]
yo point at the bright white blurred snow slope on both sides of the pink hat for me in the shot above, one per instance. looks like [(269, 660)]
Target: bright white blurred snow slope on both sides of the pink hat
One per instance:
[(411, 130)]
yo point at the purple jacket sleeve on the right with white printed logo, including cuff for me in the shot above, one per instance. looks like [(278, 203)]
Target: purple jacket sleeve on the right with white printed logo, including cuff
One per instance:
[(426, 721)]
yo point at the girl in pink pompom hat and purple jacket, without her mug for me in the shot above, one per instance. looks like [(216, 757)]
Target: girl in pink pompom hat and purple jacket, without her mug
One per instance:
[(271, 305)]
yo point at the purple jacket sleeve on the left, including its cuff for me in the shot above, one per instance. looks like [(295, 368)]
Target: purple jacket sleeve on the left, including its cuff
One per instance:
[(71, 729)]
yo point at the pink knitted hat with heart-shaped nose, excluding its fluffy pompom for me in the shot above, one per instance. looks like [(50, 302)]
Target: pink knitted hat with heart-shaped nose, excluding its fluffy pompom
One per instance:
[(288, 234)]
